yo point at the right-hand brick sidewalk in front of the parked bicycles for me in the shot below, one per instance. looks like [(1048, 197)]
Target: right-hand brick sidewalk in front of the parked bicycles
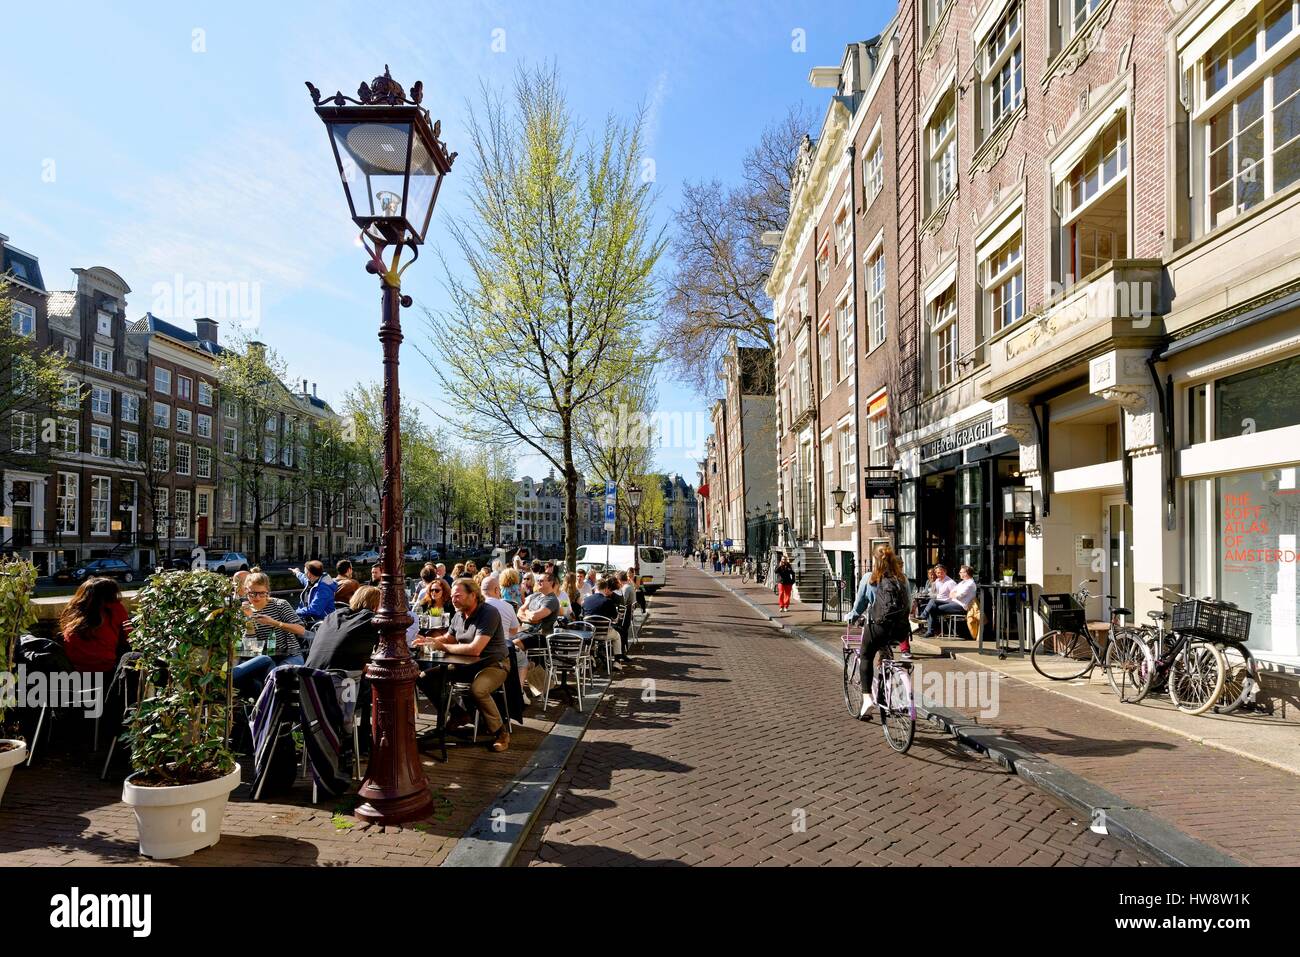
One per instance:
[(1243, 803)]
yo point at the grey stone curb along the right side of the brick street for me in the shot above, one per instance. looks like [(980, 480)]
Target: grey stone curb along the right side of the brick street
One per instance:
[(1137, 828)]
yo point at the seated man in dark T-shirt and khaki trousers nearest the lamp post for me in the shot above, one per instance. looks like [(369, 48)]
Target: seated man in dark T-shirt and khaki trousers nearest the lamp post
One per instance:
[(475, 630)]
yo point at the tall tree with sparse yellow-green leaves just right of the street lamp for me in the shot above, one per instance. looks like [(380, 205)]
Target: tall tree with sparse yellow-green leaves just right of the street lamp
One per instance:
[(560, 250)]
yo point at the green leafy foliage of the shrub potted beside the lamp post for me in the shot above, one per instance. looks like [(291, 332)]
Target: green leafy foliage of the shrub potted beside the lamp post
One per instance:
[(187, 627)]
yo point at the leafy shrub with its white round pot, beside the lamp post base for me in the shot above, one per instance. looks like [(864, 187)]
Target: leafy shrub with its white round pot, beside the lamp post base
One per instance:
[(185, 627)]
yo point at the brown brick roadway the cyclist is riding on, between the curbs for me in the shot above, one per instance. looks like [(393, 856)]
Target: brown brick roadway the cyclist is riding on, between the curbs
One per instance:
[(727, 743)]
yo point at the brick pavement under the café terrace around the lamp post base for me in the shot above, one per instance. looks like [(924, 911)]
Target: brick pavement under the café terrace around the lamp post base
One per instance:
[(62, 813)]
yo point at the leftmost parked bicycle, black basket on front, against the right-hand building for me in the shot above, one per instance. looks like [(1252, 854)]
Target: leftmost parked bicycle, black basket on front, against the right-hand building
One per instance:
[(1069, 651)]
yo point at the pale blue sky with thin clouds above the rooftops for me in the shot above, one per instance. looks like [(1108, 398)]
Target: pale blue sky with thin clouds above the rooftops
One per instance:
[(176, 144)]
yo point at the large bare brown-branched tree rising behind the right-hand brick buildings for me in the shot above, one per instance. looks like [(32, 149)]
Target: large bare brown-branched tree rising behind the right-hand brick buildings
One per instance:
[(720, 262)]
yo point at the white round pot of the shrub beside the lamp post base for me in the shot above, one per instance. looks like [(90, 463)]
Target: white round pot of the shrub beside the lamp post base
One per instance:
[(179, 821)]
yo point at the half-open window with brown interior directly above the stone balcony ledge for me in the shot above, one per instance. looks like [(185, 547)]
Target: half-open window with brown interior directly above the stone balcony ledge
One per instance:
[(1094, 202)]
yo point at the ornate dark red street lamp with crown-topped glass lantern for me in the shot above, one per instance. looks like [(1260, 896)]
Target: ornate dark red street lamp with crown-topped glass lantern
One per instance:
[(392, 164)]
